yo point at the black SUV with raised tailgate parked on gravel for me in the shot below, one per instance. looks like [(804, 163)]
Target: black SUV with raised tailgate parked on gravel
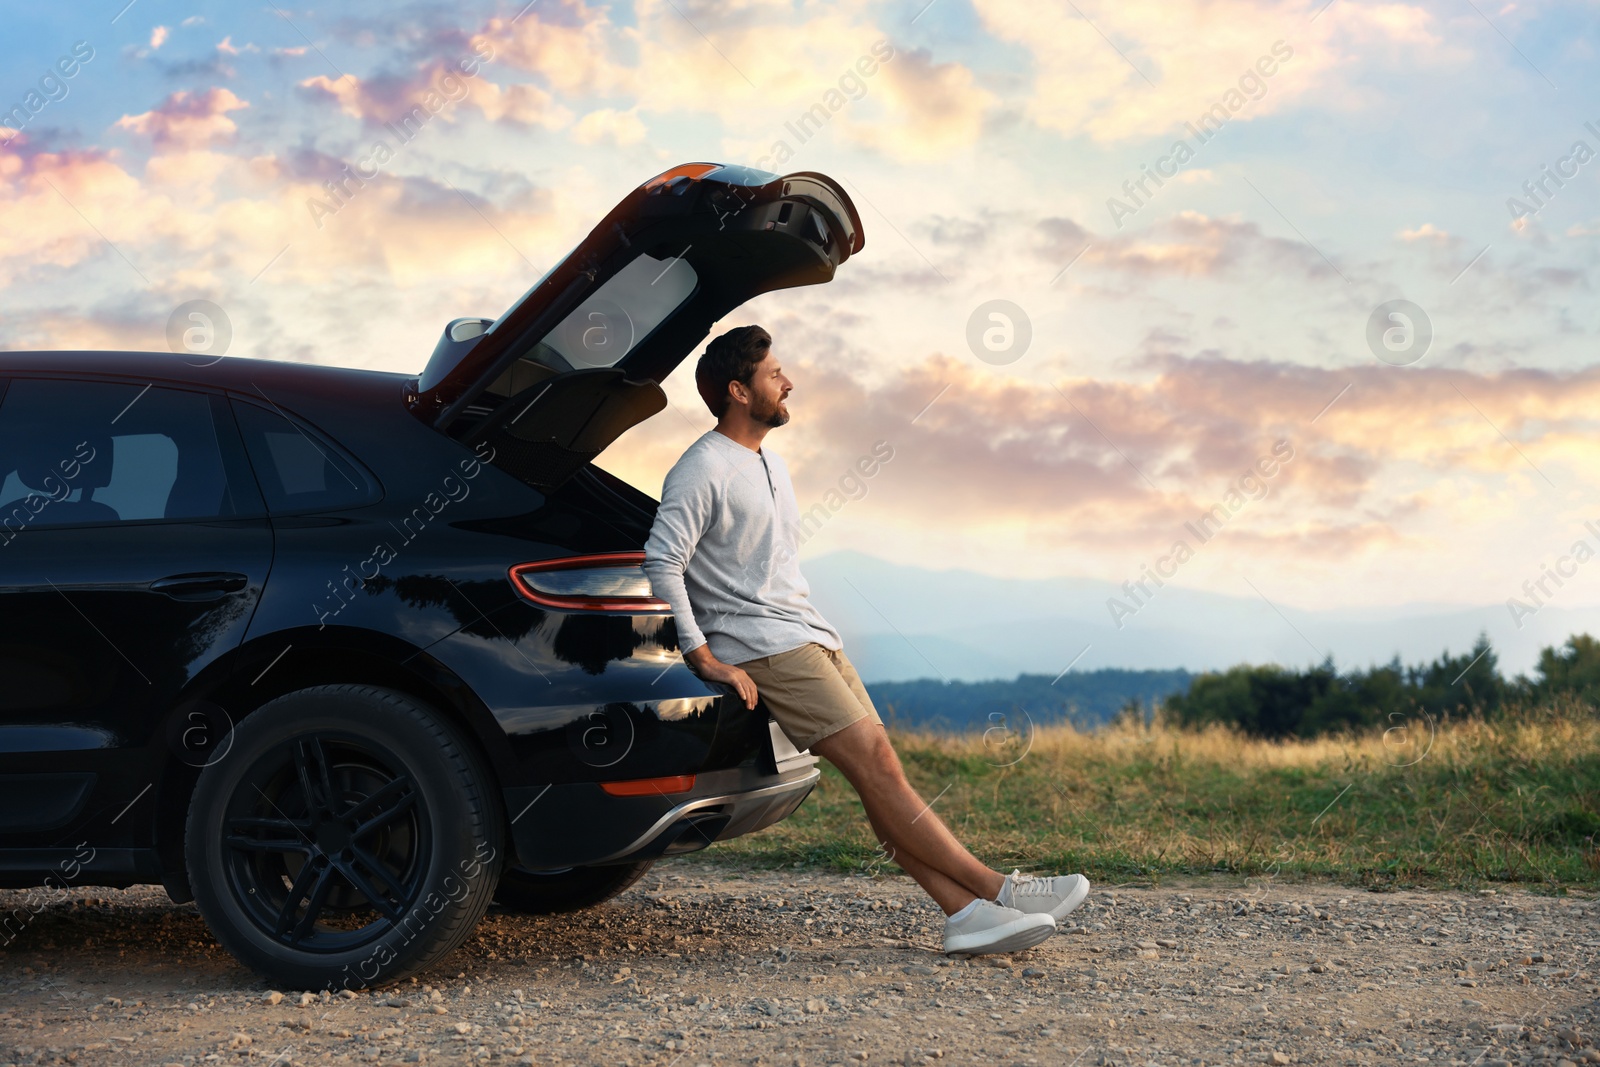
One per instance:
[(346, 655)]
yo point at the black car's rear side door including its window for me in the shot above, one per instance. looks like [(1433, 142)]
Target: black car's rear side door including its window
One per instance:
[(134, 549)]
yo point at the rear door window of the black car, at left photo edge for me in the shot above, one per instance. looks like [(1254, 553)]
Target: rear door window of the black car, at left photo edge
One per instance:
[(74, 452)]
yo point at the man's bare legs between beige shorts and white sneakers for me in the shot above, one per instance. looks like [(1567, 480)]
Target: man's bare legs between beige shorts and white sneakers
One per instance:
[(922, 845)]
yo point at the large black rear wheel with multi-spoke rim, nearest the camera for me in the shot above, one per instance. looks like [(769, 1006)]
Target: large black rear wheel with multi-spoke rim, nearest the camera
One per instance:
[(350, 839)]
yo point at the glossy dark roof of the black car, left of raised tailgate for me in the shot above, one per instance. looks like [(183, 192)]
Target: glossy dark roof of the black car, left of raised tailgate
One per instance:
[(238, 374)]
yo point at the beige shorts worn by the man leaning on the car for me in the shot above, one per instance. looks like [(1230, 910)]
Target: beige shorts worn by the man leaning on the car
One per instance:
[(812, 693)]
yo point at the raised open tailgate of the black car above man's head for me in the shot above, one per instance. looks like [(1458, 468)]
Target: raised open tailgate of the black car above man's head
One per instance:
[(580, 358)]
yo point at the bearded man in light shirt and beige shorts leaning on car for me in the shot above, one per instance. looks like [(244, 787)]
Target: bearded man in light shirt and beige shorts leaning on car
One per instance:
[(722, 554)]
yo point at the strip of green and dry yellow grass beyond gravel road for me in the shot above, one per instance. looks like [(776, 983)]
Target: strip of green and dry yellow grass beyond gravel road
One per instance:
[(1457, 804)]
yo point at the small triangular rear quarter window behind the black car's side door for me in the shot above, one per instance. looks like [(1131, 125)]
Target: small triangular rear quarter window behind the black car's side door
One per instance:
[(298, 468)]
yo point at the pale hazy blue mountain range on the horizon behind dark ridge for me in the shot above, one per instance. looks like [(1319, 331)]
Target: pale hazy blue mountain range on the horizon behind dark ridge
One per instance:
[(905, 623)]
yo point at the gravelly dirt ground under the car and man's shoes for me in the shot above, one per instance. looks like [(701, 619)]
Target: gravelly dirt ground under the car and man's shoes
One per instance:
[(703, 964)]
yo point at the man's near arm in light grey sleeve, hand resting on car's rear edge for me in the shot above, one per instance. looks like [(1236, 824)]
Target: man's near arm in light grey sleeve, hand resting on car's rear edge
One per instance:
[(686, 513)]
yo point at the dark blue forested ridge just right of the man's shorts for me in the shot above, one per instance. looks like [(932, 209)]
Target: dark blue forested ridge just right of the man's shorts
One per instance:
[(1084, 698)]
